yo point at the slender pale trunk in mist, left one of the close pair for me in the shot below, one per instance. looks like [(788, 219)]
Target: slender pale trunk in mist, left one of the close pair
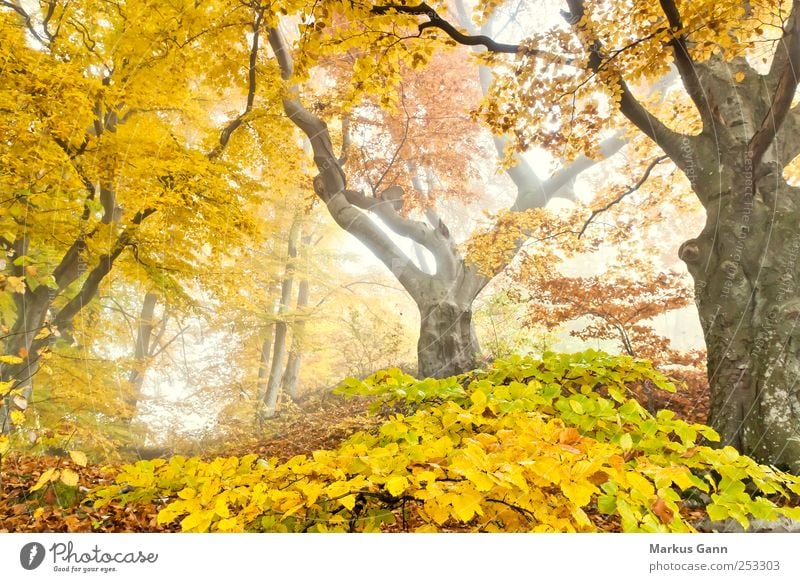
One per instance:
[(269, 403)]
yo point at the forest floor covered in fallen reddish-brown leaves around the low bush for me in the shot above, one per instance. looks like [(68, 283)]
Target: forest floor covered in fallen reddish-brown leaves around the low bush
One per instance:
[(322, 421)]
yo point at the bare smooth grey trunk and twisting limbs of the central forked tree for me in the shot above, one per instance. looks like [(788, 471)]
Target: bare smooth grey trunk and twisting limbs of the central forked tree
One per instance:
[(443, 292)]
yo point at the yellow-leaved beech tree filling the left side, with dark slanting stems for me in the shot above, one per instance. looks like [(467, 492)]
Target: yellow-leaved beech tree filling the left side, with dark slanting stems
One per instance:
[(105, 167)]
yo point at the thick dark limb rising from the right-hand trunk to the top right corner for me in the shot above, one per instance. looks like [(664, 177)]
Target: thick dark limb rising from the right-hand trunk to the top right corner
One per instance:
[(787, 75)]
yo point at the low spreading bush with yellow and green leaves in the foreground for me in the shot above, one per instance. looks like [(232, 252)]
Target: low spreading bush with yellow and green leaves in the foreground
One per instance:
[(547, 444)]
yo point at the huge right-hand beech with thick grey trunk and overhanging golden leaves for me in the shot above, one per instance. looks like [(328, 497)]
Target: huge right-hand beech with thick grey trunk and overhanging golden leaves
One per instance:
[(730, 129)]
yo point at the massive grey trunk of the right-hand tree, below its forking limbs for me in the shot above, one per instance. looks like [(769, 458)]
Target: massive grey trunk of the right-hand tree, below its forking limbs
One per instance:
[(746, 275)]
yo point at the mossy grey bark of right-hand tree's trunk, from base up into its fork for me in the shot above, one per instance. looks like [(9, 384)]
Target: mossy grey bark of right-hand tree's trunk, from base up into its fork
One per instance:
[(745, 269)]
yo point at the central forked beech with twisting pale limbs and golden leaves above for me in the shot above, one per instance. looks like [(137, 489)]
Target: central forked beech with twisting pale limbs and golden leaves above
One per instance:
[(447, 344)]
